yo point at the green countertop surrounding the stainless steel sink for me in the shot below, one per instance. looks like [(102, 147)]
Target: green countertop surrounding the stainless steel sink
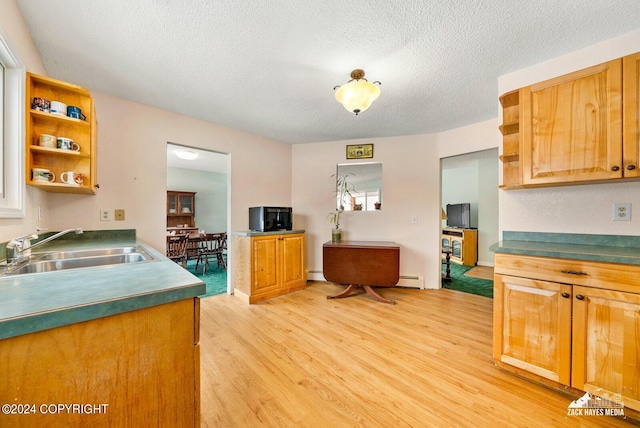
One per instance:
[(36, 302)]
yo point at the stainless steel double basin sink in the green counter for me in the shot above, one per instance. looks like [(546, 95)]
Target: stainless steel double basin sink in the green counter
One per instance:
[(63, 260)]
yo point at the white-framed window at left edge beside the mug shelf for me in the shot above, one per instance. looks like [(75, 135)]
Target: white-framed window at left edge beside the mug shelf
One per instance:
[(12, 84)]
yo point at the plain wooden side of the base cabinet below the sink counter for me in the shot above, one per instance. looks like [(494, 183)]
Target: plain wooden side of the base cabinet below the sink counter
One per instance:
[(136, 369)]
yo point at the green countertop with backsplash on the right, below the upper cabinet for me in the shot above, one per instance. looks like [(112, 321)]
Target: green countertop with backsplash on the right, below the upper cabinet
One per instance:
[(601, 248)]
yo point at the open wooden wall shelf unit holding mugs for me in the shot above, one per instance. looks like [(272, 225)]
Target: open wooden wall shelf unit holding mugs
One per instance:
[(55, 142)]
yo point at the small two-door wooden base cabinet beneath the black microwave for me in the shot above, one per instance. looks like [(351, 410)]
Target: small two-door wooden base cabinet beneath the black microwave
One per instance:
[(269, 266)]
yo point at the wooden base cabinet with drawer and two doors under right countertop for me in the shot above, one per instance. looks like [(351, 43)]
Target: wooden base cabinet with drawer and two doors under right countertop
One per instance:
[(573, 322)]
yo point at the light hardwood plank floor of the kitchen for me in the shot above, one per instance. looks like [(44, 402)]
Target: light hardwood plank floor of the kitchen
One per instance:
[(301, 360)]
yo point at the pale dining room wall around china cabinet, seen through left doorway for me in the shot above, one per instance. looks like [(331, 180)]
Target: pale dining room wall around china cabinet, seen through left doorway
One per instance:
[(210, 199)]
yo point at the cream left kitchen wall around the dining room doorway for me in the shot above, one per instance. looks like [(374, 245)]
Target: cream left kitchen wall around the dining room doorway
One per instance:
[(132, 170)]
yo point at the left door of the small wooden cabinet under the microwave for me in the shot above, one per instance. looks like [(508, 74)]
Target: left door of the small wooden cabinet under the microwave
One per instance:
[(265, 260)]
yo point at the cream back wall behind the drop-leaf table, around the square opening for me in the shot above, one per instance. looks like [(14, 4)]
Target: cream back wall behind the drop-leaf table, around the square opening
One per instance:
[(411, 187)]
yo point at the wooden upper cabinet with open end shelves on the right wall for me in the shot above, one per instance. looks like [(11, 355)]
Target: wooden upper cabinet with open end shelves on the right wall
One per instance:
[(569, 130)]
